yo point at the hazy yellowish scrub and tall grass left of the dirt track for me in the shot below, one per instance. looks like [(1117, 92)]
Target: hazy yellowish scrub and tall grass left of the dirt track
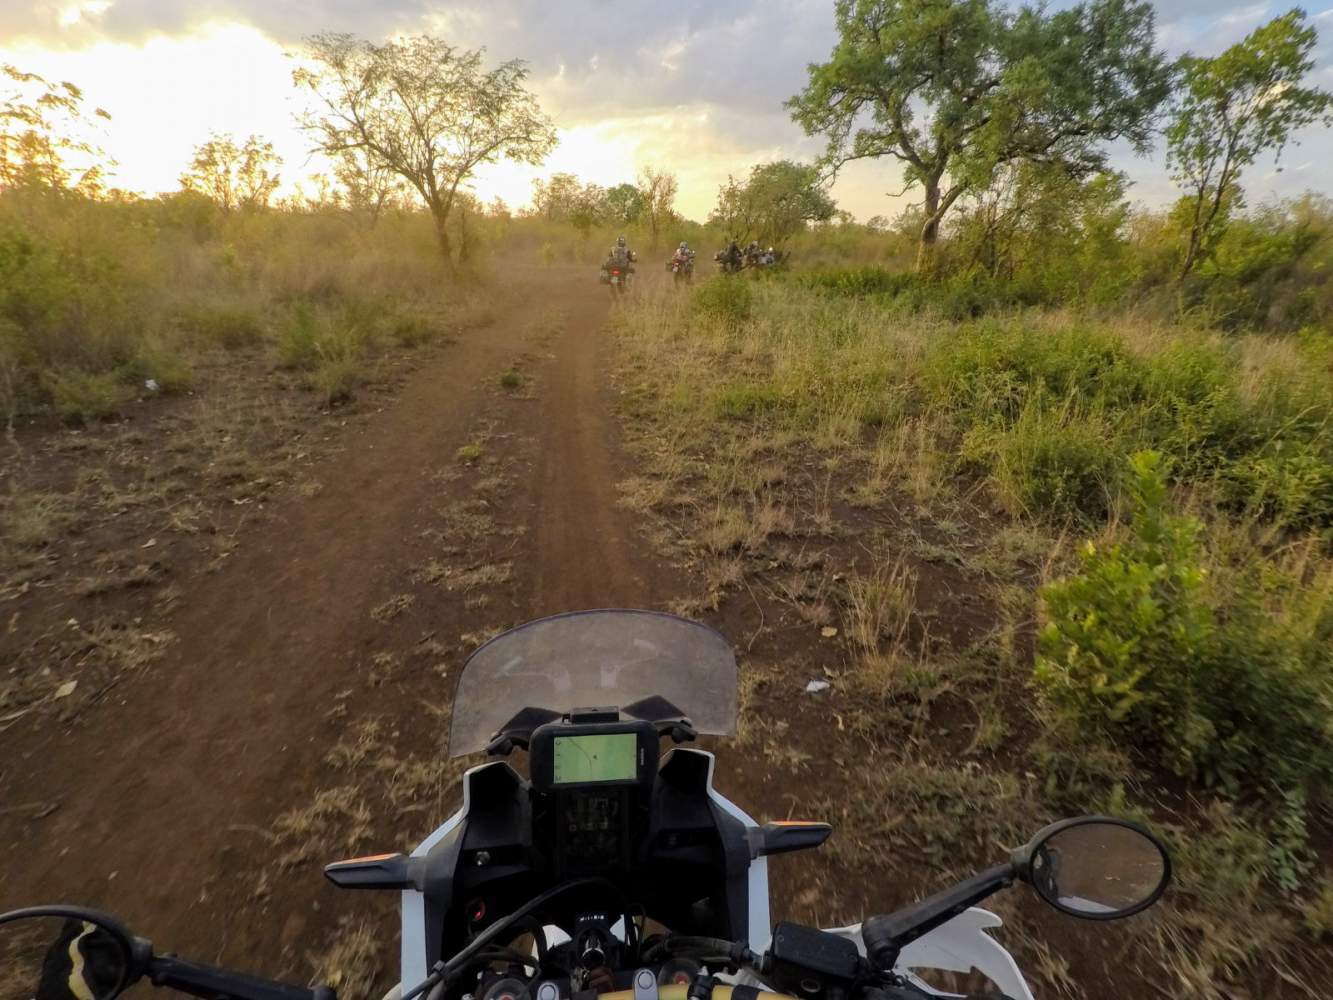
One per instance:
[(101, 297)]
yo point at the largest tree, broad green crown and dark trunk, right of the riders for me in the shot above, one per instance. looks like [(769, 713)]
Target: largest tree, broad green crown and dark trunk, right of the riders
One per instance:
[(958, 89)]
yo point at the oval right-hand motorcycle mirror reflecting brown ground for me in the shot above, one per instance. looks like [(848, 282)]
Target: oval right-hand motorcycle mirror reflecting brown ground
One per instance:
[(1098, 869)]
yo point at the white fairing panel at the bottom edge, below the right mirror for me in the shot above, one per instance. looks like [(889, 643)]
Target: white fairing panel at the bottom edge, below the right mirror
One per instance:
[(959, 946)]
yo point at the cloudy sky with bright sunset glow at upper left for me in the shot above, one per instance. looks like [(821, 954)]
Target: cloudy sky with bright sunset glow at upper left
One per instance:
[(691, 86)]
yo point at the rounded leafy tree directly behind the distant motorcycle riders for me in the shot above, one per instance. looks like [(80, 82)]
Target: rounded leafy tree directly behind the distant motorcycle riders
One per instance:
[(774, 205)]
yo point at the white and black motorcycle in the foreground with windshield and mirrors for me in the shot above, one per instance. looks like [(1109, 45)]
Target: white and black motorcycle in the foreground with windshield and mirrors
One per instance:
[(613, 869)]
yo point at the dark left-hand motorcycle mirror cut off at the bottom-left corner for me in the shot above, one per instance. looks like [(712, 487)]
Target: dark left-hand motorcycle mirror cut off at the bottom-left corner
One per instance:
[(62, 957)]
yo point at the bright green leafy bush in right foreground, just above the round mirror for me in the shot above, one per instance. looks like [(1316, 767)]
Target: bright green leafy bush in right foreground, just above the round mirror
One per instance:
[(1224, 679)]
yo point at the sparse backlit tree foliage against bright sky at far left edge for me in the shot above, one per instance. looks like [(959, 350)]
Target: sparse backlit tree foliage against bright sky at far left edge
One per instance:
[(43, 135)]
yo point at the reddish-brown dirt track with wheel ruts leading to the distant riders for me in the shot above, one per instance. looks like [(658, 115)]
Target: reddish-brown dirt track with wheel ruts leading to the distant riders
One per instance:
[(169, 795)]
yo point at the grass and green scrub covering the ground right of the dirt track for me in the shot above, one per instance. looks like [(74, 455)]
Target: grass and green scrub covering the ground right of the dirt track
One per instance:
[(1140, 503)]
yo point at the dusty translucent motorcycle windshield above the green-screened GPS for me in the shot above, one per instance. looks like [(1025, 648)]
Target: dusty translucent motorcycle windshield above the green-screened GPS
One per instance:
[(593, 659)]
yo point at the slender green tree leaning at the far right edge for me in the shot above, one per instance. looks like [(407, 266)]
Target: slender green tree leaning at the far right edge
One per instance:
[(1232, 110)]
